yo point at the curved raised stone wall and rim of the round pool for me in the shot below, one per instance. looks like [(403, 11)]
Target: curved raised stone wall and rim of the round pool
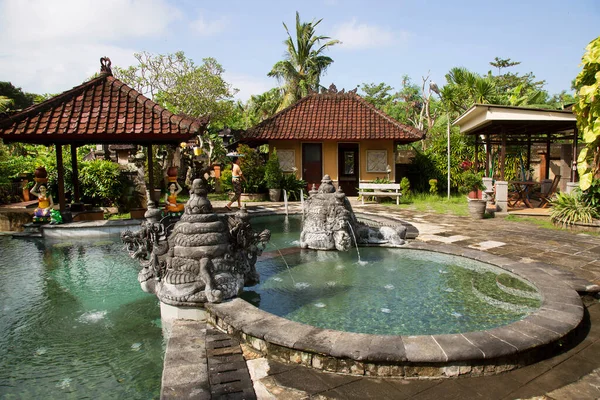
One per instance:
[(446, 355)]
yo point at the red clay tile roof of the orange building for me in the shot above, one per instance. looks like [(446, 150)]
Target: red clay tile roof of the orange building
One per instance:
[(332, 116)]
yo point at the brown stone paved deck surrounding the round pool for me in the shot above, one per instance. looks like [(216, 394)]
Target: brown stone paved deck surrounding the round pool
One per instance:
[(573, 373)]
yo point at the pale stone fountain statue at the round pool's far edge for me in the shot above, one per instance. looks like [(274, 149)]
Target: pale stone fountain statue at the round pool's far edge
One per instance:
[(330, 223)]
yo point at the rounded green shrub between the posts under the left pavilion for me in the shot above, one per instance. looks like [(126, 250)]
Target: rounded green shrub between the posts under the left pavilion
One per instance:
[(101, 182)]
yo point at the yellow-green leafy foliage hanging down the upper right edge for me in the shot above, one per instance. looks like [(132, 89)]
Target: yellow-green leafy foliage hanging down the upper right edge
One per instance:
[(587, 109)]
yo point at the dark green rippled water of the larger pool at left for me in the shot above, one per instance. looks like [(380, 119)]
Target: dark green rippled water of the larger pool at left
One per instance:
[(75, 323)]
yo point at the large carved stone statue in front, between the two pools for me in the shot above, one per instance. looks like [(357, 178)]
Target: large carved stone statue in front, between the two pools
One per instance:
[(204, 257)]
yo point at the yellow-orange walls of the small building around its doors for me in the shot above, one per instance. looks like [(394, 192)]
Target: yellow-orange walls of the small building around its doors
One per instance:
[(330, 156)]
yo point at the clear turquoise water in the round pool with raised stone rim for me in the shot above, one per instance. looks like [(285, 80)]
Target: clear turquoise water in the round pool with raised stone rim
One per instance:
[(392, 291)]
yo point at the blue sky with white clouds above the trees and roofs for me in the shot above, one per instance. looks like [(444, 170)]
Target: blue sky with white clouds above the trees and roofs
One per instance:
[(50, 46)]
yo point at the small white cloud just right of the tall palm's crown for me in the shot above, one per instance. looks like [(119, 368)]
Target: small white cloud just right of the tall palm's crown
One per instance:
[(359, 36)]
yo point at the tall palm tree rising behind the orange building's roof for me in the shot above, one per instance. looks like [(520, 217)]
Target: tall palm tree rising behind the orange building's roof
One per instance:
[(304, 61)]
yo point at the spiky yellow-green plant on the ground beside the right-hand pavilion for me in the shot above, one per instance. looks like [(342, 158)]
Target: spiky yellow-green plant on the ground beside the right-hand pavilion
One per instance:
[(570, 208)]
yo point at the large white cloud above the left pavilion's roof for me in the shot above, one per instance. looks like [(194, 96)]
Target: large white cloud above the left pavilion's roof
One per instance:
[(51, 46)]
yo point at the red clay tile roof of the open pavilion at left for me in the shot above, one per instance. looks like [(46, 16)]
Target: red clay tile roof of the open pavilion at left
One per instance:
[(102, 110)]
